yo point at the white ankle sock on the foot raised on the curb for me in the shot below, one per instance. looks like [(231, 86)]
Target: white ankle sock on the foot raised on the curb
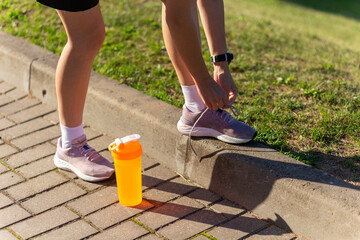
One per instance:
[(193, 100)]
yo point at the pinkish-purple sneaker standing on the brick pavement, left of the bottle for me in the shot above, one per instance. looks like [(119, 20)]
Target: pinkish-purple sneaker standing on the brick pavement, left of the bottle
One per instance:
[(83, 160)]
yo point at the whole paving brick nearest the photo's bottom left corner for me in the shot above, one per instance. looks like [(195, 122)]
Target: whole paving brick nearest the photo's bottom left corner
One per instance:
[(44, 222)]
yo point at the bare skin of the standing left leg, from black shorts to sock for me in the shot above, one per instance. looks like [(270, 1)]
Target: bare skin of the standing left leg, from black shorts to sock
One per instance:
[(86, 32)]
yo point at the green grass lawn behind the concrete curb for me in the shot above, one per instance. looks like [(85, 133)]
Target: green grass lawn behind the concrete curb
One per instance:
[(296, 65)]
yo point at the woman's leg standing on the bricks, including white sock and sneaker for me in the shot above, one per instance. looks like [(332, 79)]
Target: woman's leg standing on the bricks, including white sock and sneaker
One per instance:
[(86, 32)]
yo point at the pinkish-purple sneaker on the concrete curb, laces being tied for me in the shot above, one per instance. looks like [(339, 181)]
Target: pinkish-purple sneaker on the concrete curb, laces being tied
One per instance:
[(218, 124)]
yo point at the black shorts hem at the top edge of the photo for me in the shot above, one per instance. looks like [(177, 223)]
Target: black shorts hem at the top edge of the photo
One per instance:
[(70, 5)]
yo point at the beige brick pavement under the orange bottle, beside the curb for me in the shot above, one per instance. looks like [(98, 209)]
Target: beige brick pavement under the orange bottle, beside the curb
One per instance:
[(38, 201)]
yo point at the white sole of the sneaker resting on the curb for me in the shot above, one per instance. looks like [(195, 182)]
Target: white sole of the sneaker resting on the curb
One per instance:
[(208, 132)]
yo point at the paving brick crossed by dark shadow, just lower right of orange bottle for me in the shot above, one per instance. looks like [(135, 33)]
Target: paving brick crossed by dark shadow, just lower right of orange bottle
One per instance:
[(169, 212)]
